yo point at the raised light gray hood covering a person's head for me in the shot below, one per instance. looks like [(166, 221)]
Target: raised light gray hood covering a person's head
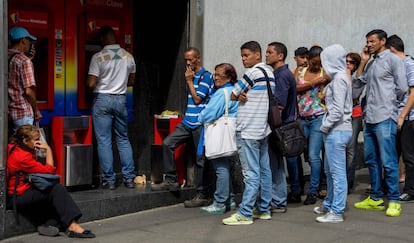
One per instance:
[(333, 60)]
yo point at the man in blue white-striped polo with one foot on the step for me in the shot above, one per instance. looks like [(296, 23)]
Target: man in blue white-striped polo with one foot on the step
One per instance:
[(199, 84)]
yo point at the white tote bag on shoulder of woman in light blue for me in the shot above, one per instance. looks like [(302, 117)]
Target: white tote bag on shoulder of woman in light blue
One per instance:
[(220, 135)]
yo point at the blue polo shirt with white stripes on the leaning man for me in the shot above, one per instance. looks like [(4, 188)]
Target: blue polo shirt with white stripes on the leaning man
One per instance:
[(203, 83)]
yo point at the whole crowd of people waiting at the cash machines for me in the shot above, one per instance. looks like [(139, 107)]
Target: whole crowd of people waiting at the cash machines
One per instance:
[(334, 94)]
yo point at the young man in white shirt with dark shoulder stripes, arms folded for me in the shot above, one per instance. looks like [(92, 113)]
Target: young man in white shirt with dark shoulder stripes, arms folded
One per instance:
[(252, 133)]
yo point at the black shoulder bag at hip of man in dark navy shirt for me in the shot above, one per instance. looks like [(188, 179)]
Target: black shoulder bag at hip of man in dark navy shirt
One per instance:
[(288, 140)]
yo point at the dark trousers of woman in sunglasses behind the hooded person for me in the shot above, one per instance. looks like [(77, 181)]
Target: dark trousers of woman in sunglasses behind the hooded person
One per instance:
[(352, 151)]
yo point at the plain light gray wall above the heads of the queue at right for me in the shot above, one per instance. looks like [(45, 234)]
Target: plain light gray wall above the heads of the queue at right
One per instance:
[(230, 23)]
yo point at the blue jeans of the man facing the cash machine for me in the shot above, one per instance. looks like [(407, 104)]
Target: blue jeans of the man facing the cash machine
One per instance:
[(109, 111)]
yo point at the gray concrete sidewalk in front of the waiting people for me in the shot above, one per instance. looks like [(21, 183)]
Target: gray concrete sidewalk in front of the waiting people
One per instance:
[(178, 224)]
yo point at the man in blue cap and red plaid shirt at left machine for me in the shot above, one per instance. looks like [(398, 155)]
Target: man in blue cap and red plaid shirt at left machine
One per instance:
[(22, 107)]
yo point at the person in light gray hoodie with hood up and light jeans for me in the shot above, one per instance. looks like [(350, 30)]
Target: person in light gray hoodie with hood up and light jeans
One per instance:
[(337, 131)]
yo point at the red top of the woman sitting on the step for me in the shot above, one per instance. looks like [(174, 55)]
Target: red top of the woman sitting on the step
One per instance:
[(23, 161)]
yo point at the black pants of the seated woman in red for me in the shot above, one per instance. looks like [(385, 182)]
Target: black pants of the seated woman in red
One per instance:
[(53, 207)]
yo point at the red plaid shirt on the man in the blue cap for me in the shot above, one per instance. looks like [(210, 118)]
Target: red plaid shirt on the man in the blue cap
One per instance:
[(21, 76)]
